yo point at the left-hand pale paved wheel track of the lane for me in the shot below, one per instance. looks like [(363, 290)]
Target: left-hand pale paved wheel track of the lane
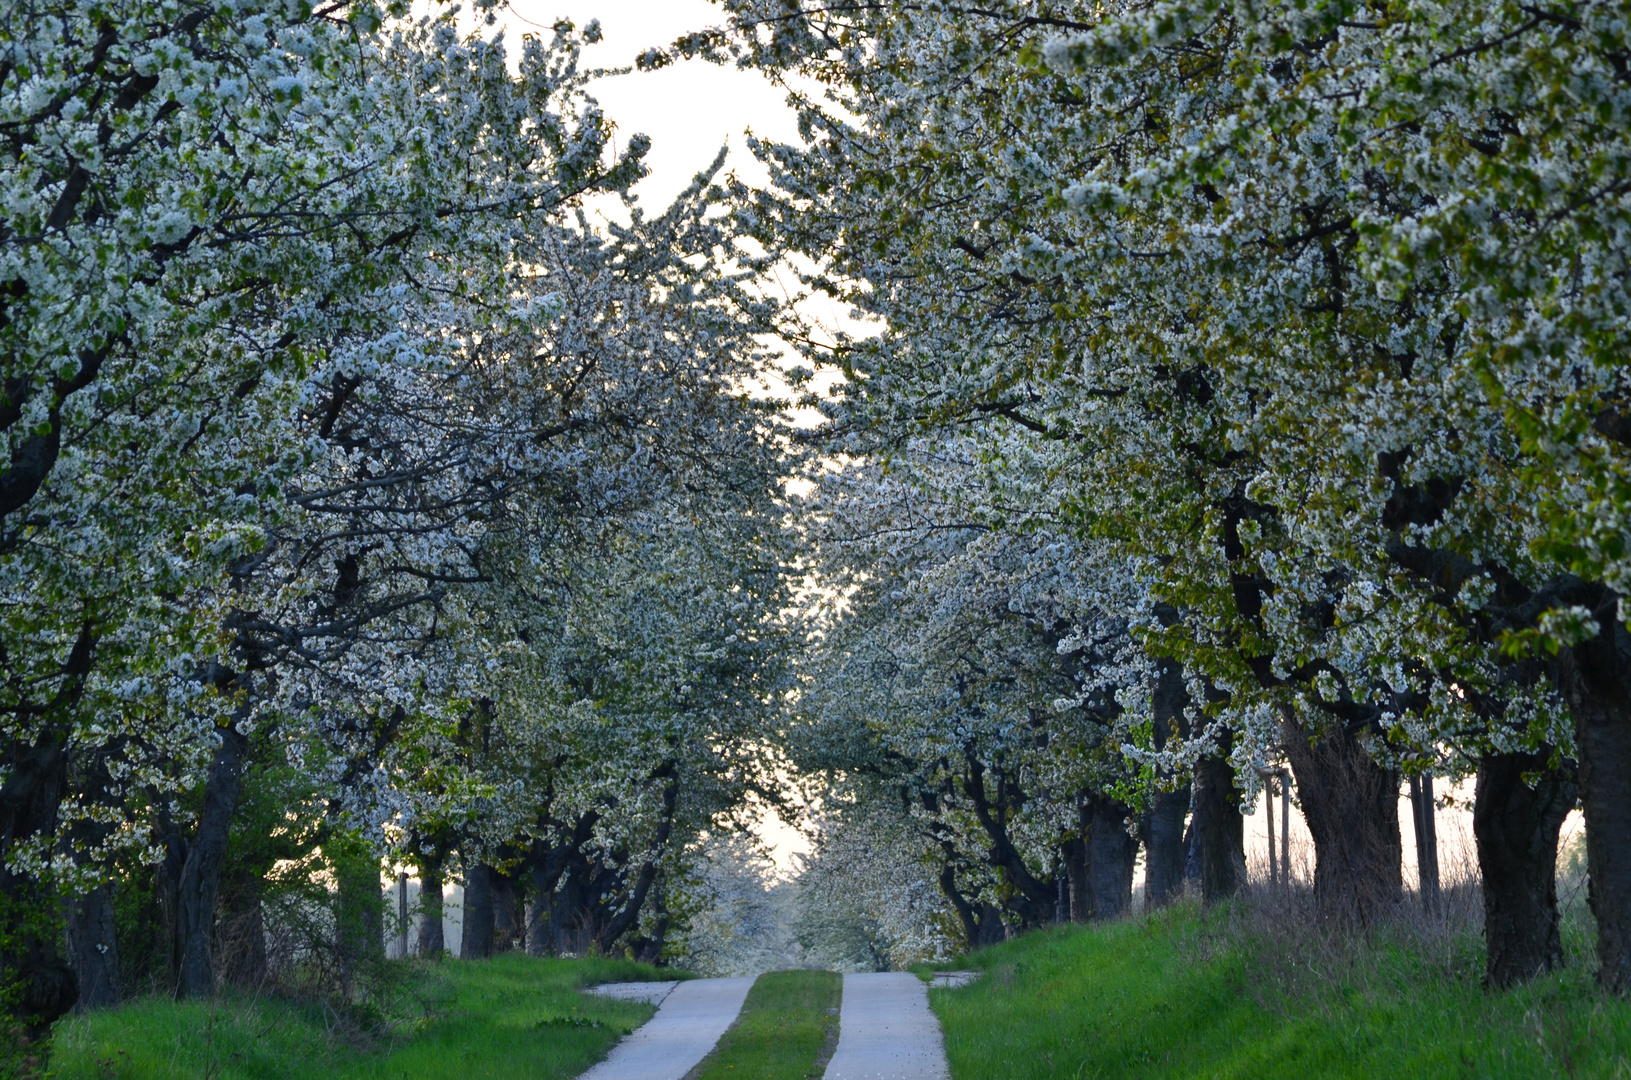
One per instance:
[(687, 1025)]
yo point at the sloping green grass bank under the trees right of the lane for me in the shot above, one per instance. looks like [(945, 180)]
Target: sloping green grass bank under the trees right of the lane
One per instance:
[(1190, 994)]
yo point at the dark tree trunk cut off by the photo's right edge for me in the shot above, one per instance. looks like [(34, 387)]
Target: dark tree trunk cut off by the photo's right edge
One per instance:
[(1596, 679)]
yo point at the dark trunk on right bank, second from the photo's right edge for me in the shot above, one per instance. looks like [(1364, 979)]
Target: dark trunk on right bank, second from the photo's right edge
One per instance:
[(1516, 828)]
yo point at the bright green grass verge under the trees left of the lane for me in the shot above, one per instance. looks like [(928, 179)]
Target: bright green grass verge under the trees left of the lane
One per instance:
[(513, 1017)]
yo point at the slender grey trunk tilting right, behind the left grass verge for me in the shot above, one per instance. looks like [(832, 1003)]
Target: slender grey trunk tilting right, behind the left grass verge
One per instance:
[(200, 882)]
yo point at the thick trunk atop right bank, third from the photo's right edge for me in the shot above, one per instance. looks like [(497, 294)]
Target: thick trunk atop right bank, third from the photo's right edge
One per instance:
[(1353, 812)]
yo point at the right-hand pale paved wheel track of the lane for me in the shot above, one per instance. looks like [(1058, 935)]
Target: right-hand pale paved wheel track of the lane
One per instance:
[(886, 1032)]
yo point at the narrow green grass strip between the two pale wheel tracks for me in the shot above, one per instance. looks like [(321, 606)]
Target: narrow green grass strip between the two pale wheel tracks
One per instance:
[(782, 1032)]
